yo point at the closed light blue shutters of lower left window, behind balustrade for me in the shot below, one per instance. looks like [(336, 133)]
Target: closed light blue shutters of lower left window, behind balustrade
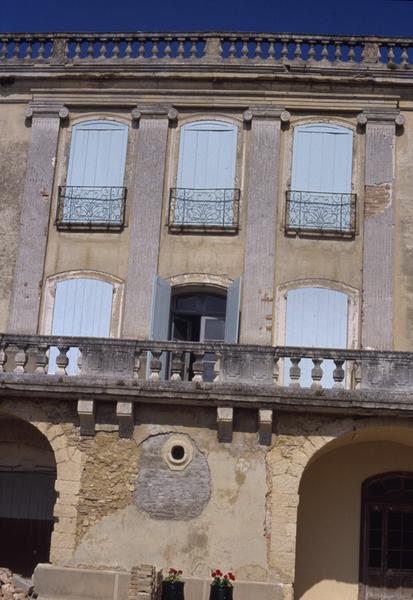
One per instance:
[(83, 307)]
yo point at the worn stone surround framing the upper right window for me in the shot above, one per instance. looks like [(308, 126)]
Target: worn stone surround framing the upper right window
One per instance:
[(357, 177)]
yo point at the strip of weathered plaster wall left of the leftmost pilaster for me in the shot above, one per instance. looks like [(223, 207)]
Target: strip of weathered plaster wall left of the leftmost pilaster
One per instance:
[(14, 142)]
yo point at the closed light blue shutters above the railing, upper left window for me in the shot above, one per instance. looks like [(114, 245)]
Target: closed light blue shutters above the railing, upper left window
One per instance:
[(97, 154)]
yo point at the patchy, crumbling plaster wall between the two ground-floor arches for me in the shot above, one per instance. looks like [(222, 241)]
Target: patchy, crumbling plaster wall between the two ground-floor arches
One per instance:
[(119, 534)]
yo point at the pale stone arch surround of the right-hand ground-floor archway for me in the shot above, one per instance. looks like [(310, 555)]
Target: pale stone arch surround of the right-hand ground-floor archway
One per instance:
[(287, 461)]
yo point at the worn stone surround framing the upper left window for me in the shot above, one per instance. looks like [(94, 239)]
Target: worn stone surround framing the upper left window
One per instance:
[(63, 156)]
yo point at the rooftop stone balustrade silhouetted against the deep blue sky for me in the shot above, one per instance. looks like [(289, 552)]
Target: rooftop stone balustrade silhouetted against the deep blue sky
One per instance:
[(284, 50)]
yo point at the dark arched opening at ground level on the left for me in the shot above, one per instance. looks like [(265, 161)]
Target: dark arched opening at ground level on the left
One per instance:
[(27, 496)]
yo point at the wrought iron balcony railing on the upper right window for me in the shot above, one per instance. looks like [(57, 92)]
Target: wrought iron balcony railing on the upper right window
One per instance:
[(320, 212)]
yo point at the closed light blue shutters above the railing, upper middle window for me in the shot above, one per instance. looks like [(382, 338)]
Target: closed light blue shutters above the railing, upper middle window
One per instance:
[(207, 155)]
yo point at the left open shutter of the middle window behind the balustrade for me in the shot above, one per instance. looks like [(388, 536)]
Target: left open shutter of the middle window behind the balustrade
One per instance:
[(161, 309)]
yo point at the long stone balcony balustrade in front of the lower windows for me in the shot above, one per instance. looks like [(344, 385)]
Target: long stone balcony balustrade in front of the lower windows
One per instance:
[(214, 363)]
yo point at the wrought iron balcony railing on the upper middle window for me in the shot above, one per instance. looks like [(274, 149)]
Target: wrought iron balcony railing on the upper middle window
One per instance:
[(206, 210)]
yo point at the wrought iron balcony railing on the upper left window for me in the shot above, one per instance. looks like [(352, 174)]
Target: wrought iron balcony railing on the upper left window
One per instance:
[(91, 207)]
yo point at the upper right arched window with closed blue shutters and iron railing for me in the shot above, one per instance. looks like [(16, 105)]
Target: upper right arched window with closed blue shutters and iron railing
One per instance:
[(320, 199)]
